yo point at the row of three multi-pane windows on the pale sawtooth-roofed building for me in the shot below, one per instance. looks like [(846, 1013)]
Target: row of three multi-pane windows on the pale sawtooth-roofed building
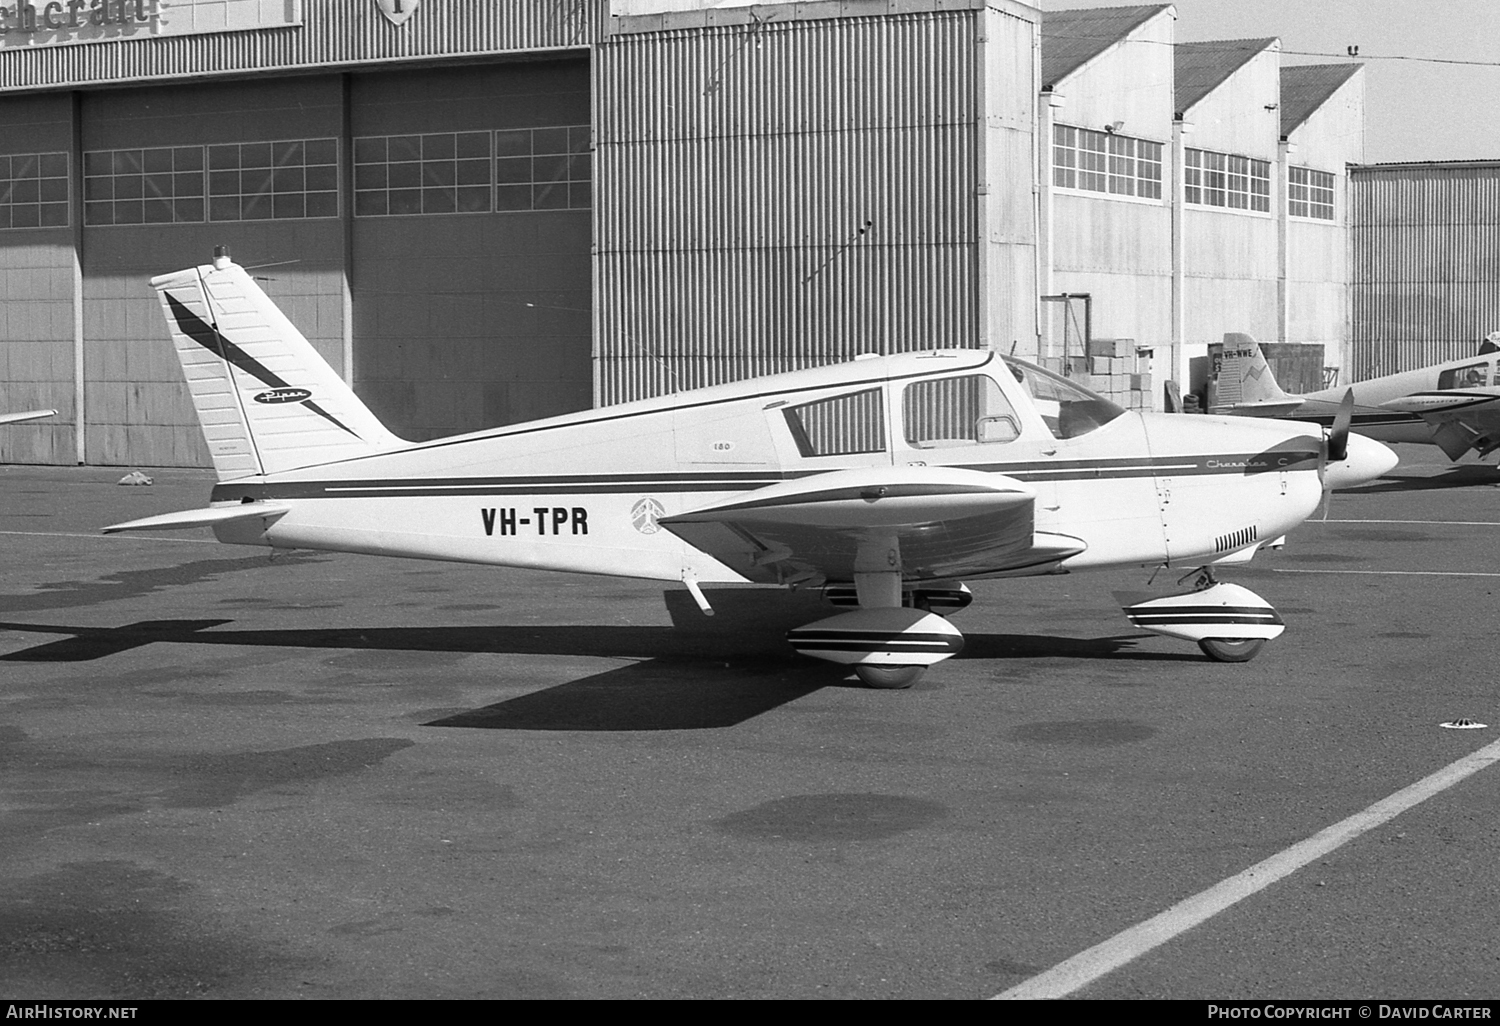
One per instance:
[(1124, 166)]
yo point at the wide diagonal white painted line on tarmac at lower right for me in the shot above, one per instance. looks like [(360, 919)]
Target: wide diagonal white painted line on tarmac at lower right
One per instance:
[(1087, 967)]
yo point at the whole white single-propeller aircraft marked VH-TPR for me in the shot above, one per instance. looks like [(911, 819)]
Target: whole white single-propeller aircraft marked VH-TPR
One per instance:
[(887, 481)]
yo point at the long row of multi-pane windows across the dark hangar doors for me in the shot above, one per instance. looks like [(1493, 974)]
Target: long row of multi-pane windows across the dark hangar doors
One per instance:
[(506, 170)]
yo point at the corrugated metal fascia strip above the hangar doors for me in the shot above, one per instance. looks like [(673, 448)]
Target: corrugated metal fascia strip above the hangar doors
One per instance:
[(334, 32)]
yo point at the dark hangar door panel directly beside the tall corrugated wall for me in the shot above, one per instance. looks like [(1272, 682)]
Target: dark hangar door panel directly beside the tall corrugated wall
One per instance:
[(472, 239)]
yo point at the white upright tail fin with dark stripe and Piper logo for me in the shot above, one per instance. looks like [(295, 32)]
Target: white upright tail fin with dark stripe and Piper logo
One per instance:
[(266, 400)]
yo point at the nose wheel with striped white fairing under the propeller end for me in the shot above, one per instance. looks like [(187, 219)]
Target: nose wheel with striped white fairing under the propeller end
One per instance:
[(1228, 622)]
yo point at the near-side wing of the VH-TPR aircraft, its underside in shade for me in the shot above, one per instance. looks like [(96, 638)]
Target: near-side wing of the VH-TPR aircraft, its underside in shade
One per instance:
[(929, 521)]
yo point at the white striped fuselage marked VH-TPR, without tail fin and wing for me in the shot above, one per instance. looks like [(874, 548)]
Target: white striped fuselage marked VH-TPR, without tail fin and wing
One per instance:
[(587, 493)]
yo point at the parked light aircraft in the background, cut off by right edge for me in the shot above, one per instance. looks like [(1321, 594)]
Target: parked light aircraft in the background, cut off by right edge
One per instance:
[(1453, 406)]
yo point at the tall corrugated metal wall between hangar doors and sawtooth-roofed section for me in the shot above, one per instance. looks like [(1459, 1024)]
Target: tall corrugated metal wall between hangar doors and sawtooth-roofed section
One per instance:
[(778, 196)]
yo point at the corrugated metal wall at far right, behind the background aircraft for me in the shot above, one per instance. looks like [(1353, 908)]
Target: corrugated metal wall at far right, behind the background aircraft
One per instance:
[(1426, 263)]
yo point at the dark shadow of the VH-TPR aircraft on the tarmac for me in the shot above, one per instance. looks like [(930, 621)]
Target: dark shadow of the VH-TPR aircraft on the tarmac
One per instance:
[(701, 673)]
